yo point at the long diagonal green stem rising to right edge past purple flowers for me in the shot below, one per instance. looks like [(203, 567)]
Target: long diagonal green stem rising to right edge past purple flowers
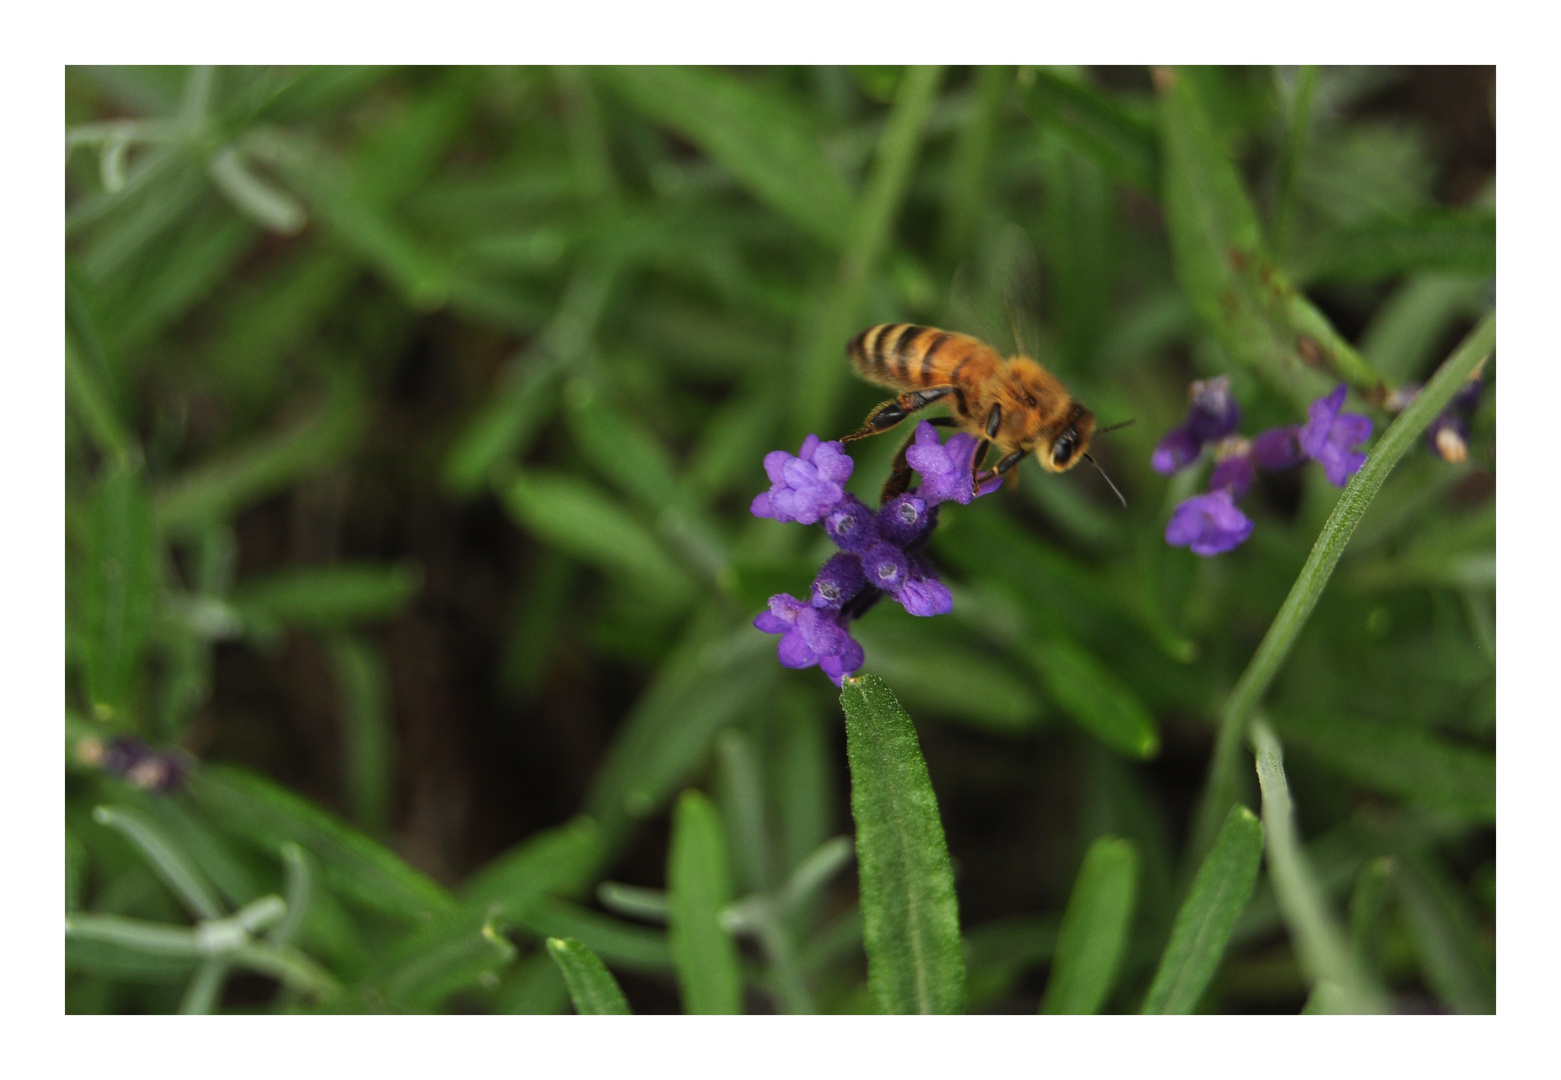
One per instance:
[(1220, 792)]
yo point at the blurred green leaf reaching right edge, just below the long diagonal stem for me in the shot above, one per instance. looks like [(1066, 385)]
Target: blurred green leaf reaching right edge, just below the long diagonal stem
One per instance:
[(1401, 759)]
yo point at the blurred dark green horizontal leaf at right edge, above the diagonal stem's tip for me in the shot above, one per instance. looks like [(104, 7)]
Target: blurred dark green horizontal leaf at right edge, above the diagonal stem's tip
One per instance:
[(1451, 241)]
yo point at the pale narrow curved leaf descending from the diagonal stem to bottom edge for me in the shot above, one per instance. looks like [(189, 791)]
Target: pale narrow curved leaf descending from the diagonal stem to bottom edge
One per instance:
[(1320, 943)]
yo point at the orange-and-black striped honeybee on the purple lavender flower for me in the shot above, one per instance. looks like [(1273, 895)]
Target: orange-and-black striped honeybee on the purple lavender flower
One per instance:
[(1014, 405)]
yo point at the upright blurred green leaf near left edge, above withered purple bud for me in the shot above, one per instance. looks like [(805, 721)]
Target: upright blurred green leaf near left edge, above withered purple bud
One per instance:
[(121, 589)]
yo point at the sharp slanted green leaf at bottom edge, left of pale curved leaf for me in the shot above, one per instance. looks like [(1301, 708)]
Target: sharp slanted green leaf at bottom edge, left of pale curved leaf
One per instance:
[(1209, 914)]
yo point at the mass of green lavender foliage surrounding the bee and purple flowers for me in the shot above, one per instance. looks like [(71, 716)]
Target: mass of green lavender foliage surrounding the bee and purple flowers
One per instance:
[(338, 336)]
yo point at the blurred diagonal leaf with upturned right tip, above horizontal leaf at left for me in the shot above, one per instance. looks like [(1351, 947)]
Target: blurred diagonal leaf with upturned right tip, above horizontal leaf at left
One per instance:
[(221, 488)]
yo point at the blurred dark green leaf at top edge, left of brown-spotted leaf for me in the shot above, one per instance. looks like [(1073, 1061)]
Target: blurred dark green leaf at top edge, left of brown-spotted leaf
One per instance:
[(1120, 140)]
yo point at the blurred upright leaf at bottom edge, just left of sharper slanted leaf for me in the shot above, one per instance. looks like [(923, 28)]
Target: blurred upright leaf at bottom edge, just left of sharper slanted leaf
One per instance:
[(1095, 931)]
